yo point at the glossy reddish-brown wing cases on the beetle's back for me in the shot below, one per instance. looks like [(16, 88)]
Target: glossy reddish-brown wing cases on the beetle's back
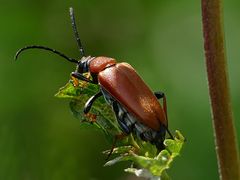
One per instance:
[(124, 84)]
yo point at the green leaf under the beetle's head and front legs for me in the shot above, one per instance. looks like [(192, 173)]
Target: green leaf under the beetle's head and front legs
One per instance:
[(101, 115)]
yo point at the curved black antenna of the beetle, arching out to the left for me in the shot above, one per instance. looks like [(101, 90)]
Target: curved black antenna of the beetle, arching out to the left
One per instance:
[(45, 48)]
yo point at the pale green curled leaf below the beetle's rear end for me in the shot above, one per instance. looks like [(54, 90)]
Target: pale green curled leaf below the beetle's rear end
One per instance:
[(156, 166)]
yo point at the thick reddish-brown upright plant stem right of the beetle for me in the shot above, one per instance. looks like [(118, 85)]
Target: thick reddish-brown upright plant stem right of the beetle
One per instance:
[(225, 138)]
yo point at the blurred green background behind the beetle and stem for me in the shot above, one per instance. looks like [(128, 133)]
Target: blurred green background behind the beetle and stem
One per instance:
[(39, 137)]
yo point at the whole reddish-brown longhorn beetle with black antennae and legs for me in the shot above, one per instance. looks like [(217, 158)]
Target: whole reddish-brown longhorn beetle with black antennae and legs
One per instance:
[(136, 107)]
